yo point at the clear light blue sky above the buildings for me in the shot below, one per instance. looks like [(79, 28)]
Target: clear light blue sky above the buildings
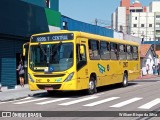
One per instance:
[(89, 10)]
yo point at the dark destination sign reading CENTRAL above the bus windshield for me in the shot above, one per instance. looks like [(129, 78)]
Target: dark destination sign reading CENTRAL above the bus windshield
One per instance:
[(52, 37)]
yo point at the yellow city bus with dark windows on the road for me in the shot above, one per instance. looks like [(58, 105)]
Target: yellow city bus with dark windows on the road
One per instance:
[(72, 60)]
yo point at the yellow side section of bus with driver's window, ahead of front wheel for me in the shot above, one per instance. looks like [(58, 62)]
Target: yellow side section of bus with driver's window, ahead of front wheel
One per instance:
[(81, 61)]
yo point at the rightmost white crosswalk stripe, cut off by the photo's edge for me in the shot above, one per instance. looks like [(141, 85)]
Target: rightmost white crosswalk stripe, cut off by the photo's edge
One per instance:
[(150, 104)]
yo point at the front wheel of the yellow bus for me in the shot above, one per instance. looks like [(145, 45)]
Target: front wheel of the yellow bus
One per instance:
[(92, 86)]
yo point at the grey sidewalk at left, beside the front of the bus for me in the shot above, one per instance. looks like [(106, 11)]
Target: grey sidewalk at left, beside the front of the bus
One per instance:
[(18, 93)]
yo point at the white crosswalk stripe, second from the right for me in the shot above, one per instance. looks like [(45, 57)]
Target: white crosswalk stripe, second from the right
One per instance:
[(121, 104)]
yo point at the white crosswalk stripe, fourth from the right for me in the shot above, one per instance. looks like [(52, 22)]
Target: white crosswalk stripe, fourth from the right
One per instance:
[(80, 100)]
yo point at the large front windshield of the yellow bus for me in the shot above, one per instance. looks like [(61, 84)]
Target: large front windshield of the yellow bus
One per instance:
[(59, 56)]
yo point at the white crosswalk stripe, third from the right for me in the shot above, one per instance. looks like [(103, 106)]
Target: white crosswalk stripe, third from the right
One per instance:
[(101, 101)]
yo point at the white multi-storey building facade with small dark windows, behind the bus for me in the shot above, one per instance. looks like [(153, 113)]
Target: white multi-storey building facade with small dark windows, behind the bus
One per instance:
[(146, 32)]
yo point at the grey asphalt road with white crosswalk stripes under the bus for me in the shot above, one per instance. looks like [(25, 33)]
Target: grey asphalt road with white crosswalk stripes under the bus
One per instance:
[(112, 101)]
